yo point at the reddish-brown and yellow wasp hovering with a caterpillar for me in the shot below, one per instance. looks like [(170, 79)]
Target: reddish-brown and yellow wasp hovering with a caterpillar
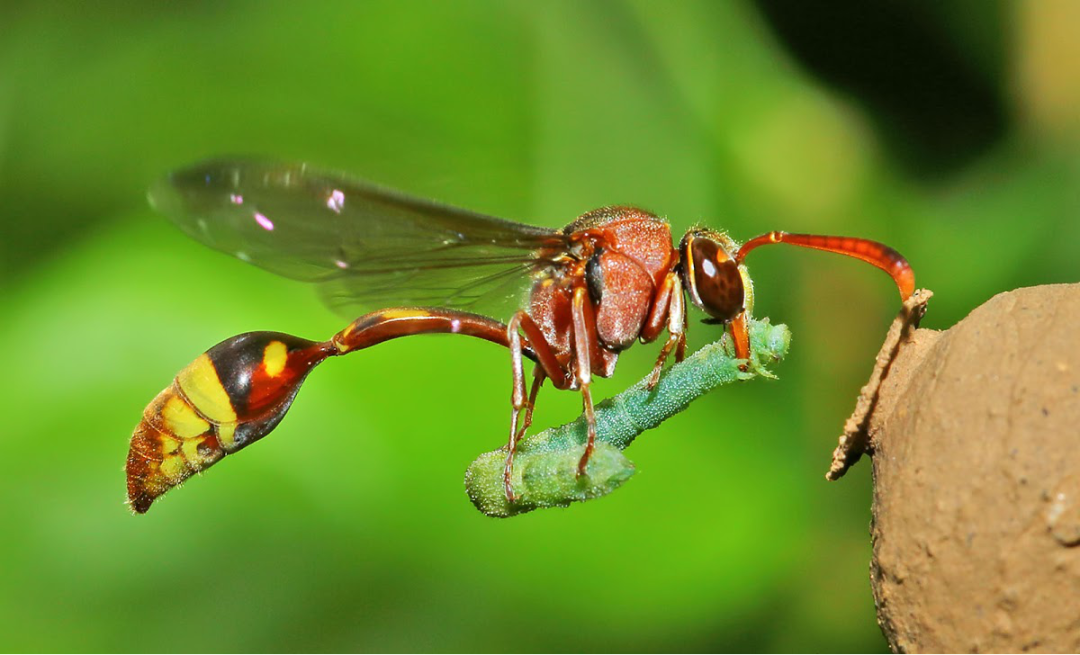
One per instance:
[(570, 300)]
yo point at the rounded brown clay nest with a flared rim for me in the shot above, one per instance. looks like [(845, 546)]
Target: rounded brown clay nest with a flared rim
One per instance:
[(975, 436)]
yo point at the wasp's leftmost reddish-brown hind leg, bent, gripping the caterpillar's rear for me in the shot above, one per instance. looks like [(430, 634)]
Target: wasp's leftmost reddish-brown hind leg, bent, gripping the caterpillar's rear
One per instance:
[(547, 367)]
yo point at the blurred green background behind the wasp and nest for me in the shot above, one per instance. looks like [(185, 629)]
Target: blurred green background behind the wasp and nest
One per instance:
[(949, 130)]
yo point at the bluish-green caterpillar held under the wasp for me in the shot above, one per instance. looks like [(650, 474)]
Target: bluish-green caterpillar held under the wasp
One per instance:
[(546, 464)]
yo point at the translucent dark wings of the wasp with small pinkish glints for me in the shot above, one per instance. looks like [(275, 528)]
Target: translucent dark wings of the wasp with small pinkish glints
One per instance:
[(364, 246)]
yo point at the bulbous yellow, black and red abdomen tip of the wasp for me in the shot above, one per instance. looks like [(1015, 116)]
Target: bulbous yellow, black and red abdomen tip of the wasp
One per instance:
[(232, 396)]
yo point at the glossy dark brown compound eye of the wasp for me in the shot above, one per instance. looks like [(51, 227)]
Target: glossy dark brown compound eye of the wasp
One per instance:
[(712, 276)]
